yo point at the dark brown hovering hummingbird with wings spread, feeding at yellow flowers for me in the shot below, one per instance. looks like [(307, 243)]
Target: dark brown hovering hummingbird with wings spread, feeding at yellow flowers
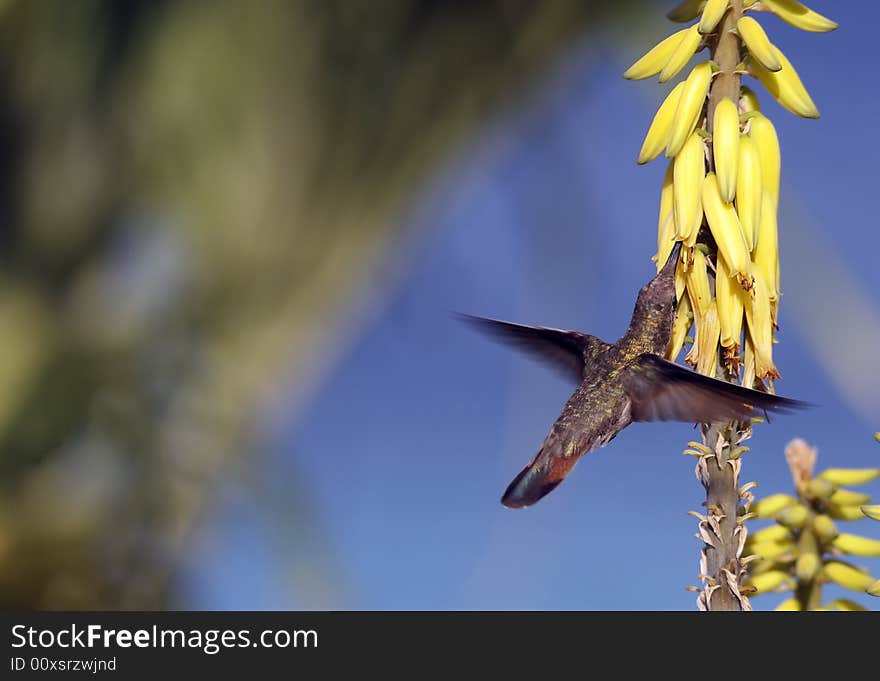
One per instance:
[(620, 383)]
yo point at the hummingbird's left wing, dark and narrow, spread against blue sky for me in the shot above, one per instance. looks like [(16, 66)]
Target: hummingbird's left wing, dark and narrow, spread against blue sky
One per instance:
[(564, 350)]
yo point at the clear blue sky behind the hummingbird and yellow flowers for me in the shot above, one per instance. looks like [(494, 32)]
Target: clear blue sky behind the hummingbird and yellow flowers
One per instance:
[(544, 217)]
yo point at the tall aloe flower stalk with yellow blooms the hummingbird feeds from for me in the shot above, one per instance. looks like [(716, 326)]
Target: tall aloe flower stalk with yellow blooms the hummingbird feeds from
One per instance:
[(722, 205)]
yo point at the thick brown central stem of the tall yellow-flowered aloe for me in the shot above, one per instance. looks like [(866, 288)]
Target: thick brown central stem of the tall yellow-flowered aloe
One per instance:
[(720, 473)]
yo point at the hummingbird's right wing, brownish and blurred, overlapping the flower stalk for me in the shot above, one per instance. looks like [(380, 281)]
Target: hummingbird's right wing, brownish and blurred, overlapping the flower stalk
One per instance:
[(663, 391)]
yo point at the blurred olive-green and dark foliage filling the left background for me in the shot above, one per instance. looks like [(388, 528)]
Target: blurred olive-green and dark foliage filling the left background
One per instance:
[(192, 194)]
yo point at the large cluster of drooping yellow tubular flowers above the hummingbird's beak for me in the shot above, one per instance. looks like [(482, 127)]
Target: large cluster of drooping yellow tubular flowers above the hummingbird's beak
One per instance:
[(720, 193)]
